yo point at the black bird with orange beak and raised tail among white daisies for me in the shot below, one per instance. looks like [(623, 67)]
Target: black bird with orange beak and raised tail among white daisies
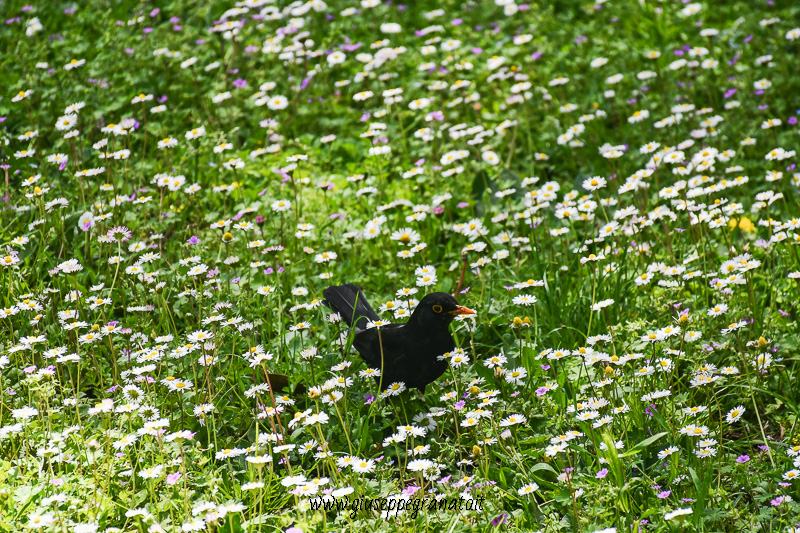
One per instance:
[(410, 350)]
